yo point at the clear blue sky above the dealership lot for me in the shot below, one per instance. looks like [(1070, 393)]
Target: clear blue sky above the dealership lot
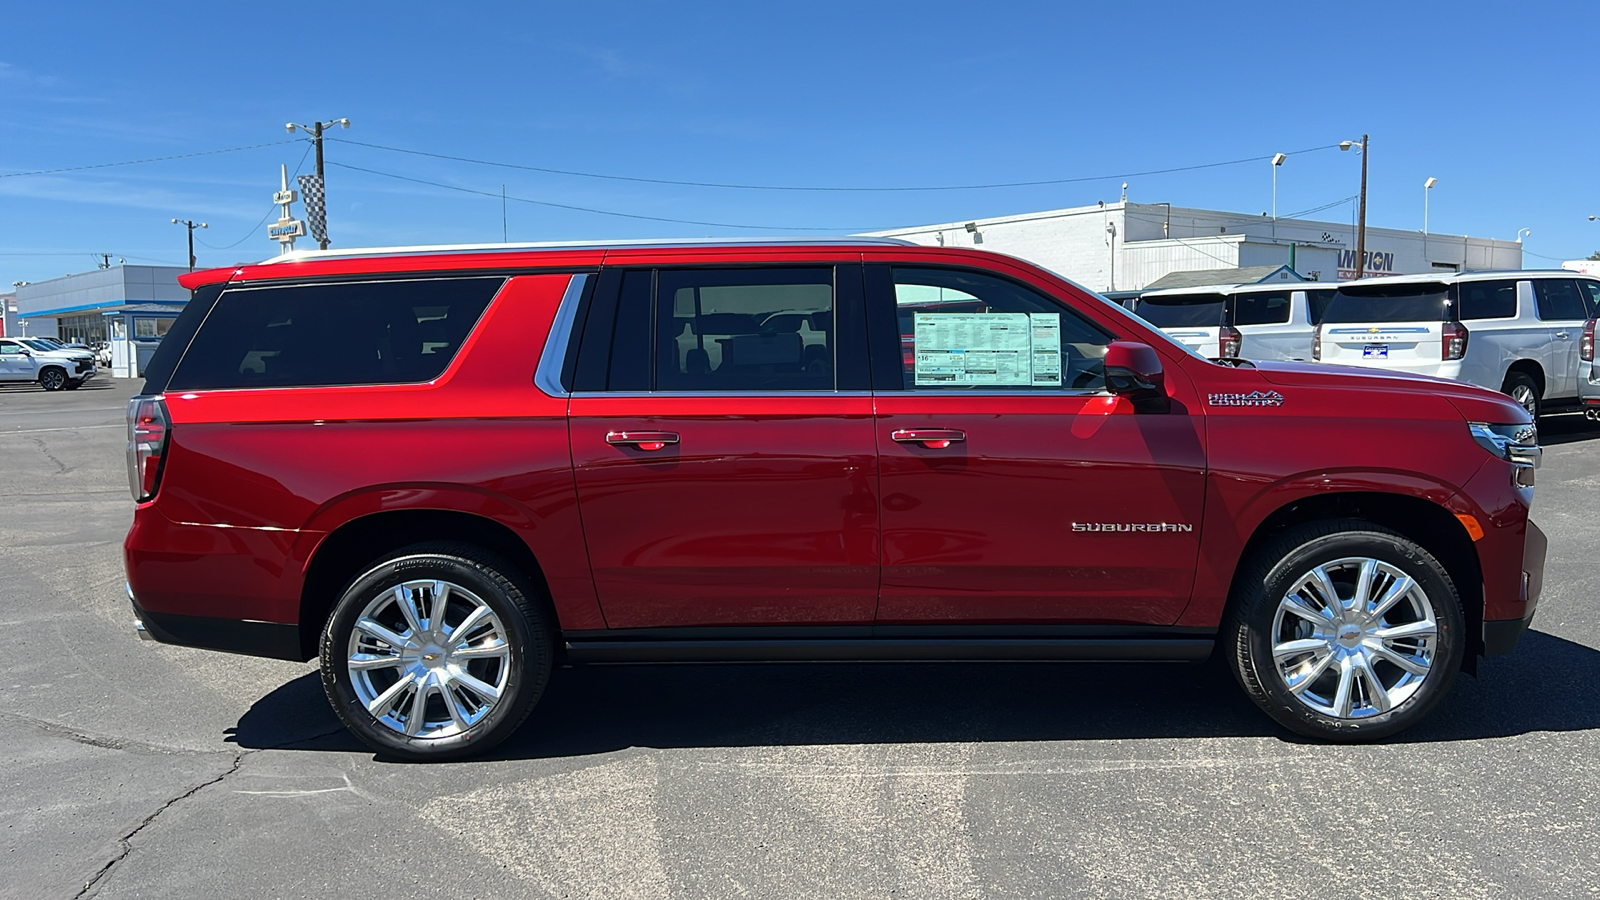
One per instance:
[(1495, 100)]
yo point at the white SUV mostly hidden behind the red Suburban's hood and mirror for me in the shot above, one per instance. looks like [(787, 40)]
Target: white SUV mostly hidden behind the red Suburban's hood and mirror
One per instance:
[(1266, 321)]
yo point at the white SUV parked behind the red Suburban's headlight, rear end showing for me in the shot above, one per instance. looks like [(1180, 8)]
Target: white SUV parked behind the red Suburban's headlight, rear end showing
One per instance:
[(1516, 332)]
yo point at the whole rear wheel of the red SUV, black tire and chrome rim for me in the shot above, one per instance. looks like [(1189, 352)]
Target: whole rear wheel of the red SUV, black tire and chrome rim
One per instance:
[(436, 653)]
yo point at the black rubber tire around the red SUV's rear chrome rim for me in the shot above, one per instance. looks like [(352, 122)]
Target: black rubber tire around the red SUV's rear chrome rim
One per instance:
[(505, 590)]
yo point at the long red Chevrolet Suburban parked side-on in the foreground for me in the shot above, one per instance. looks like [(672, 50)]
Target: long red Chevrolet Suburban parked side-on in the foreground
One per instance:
[(447, 472)]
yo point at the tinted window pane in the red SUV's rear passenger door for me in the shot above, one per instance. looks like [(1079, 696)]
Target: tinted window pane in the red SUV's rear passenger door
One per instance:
[(745, 329)]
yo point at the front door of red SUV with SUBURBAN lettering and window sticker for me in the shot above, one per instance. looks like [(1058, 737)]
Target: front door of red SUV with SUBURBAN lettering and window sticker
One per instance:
[(1015, 488)]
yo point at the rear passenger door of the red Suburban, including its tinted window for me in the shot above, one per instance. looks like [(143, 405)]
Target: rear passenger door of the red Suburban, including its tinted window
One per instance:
[(722, 444)]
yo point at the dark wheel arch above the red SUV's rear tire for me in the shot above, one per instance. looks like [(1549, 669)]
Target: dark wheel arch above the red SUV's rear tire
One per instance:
[(351, 548)]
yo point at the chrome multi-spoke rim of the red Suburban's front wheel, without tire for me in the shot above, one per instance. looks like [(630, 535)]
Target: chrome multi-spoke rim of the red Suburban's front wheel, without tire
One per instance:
[(1354, 638)]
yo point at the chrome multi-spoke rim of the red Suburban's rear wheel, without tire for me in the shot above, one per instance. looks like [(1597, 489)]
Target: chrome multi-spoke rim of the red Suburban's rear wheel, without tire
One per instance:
[(428, 659)]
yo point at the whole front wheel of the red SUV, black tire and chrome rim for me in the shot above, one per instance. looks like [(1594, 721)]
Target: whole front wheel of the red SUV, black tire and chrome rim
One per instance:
[(1346, 632)]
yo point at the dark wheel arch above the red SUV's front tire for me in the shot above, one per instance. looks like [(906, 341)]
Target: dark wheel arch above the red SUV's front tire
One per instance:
[(1423, 521)]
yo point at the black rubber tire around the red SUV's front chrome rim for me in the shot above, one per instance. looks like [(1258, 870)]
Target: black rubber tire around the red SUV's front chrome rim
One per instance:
[(1254, 629)]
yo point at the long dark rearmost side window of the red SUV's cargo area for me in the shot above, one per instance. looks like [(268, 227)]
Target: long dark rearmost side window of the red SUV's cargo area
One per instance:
[(401, 332)]
